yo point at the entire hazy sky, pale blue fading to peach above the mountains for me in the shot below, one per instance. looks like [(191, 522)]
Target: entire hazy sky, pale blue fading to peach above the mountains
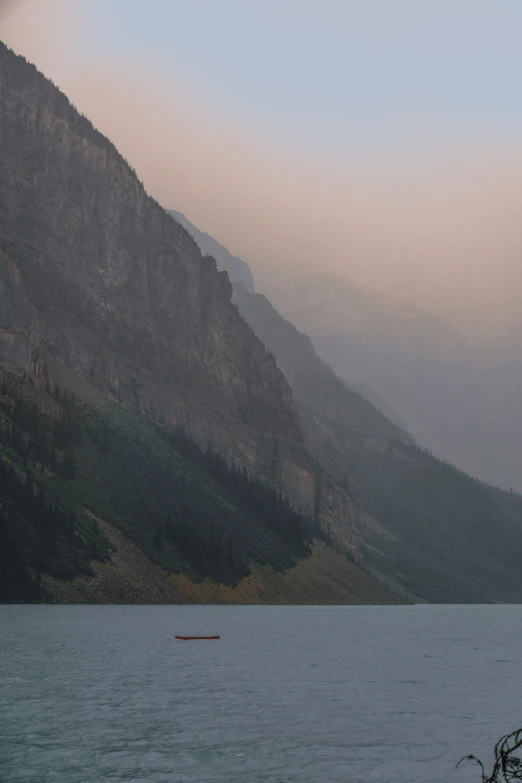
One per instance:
[(378, 139)]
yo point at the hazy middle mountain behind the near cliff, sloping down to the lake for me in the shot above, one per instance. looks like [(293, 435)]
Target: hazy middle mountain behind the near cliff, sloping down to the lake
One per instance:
[(427, 529)]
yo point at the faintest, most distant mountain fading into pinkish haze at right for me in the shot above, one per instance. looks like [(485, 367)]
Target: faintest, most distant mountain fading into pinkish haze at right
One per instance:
[(464, 409)]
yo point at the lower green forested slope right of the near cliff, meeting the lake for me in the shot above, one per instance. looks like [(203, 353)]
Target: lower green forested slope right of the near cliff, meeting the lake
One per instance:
[(426, 525)]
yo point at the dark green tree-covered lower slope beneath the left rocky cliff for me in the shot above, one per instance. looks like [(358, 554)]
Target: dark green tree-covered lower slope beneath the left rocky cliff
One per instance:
[(64, 463)]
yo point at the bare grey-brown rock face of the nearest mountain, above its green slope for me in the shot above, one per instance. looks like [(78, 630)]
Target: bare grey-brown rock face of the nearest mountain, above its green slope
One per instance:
[(96, 275)]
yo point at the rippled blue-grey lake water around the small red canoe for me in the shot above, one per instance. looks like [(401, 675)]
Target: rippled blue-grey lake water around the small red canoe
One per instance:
[(305, 694)]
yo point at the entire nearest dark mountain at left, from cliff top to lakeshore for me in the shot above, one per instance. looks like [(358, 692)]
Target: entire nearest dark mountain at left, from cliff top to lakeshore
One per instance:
[(135, 400)]
